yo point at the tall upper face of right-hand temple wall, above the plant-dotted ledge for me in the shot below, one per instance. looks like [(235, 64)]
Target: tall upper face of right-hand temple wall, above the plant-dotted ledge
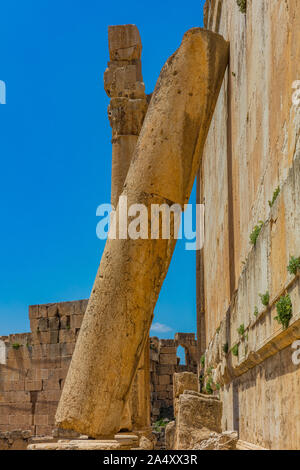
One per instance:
[(251, 143)]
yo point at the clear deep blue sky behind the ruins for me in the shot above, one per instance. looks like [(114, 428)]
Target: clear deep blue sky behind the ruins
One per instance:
[(56, 151)]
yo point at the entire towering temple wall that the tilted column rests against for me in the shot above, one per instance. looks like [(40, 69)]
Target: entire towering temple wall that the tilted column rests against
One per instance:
[(252, 148)]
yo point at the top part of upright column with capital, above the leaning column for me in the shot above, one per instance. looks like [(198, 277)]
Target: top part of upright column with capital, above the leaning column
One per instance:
[(123, 83)]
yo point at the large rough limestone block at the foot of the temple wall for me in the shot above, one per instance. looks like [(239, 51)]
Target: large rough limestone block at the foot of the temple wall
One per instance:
[(198, 416)]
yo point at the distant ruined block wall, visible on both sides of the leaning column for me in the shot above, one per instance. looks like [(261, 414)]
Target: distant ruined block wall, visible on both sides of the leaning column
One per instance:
[(33, 367)]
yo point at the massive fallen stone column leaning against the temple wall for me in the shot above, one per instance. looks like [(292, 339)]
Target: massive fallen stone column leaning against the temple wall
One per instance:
[(162, 171)]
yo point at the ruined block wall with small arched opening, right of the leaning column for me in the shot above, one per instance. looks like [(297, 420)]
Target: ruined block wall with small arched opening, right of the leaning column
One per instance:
[(163, 364)]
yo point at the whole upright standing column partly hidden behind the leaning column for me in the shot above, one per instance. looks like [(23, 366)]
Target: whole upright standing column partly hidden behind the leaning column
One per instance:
[(123, 83)]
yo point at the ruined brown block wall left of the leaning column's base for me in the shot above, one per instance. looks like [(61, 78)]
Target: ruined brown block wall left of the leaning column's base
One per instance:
[(32, 378)]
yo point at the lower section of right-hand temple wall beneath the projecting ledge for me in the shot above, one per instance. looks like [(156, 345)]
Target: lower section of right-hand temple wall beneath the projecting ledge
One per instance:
[(266, 400)]
